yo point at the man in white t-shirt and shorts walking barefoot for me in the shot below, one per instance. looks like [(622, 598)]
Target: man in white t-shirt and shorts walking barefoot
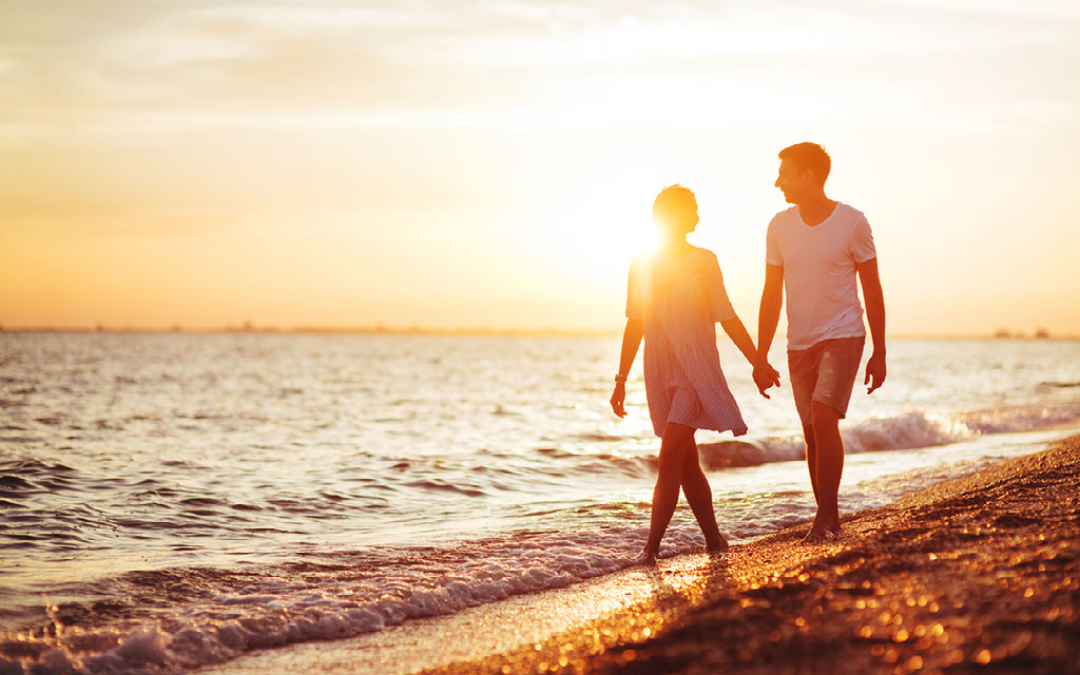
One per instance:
[(815, 250)]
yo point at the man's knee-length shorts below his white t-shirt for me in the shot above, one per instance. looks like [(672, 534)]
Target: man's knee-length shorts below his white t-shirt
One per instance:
[(826, 373)]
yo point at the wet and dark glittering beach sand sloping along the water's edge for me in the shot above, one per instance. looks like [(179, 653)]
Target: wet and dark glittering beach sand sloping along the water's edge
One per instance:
[(980, 574)]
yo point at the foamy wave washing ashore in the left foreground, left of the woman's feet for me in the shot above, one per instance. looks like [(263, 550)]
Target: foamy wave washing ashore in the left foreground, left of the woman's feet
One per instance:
[(217, 615)]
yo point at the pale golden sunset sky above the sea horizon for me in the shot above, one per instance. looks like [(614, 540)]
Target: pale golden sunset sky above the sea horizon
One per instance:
[(492, 165)]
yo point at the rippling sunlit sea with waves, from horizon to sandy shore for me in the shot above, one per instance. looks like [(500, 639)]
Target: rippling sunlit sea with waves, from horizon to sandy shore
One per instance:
[(174, 501)]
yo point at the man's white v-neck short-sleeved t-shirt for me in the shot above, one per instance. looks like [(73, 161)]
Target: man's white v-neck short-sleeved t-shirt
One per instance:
[(820, 273)]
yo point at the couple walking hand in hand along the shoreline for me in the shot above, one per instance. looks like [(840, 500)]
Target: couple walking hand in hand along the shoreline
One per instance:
[(815, 251)]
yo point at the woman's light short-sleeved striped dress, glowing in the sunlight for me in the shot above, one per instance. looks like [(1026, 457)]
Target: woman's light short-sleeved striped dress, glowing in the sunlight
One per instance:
[(680, 300)]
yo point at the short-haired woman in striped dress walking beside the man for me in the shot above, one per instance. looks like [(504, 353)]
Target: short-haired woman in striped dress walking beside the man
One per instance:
[(674, 301)]
